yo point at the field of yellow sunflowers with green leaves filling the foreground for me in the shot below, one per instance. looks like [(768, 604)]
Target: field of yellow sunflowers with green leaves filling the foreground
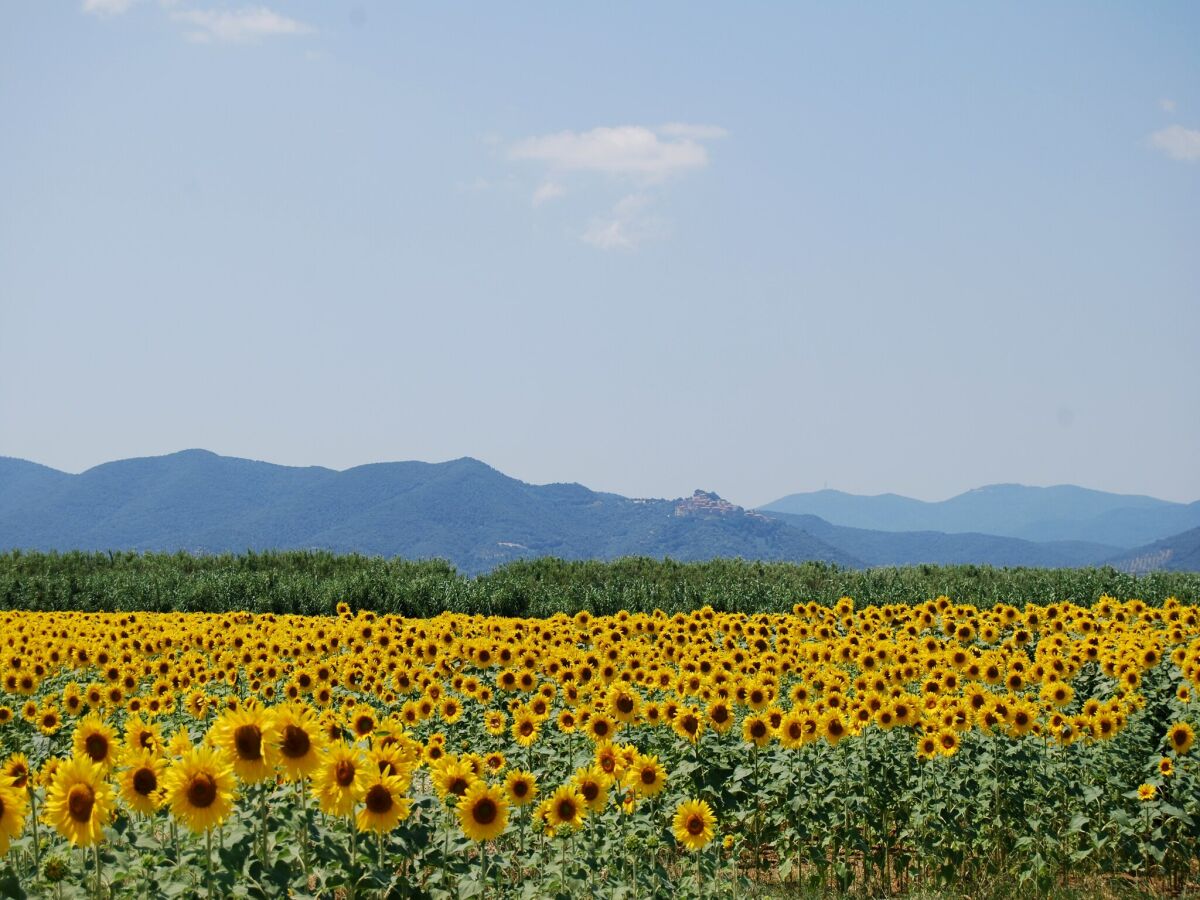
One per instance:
[(873, 749)]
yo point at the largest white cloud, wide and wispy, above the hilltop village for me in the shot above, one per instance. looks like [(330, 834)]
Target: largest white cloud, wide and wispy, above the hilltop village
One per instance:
[(622, 151)]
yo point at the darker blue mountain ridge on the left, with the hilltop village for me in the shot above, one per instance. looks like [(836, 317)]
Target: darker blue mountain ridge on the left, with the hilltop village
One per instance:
[(463, 511)]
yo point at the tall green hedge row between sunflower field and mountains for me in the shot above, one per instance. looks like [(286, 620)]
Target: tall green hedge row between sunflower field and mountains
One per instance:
[(315, 583)]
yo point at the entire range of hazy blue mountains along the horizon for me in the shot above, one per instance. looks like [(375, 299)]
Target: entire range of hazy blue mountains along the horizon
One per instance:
[(477, 518)]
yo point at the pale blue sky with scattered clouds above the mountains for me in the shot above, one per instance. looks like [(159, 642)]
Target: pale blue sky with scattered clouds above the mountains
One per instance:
[(755, 249)]
